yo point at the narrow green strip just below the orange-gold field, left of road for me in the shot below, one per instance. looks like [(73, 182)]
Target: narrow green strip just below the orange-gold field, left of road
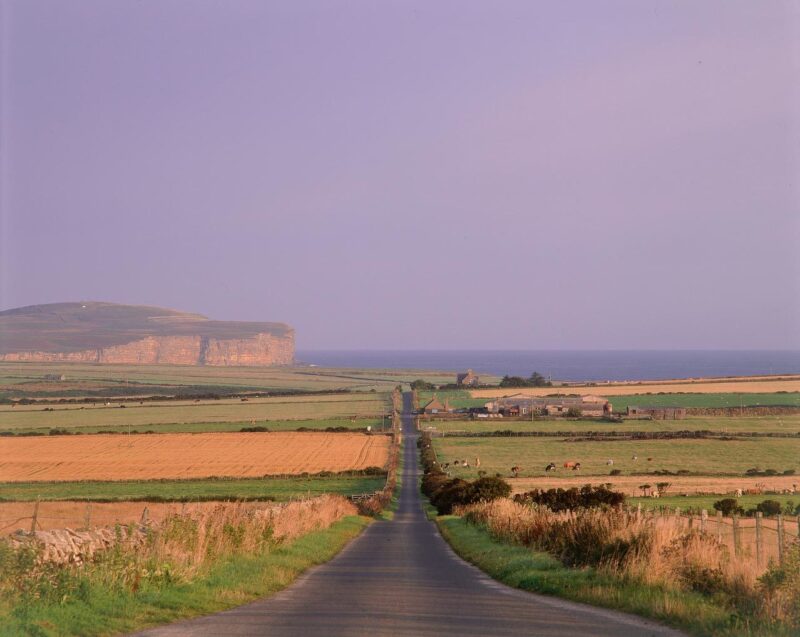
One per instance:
[(268, 488)]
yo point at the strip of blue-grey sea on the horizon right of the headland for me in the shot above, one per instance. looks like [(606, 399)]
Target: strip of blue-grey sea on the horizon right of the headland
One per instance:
[(572, 365)]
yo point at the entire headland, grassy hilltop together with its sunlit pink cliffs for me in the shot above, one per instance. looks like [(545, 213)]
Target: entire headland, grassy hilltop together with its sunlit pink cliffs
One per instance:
[(96, 332)]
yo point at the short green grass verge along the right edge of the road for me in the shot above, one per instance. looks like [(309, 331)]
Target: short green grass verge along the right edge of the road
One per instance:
[(538, 572)]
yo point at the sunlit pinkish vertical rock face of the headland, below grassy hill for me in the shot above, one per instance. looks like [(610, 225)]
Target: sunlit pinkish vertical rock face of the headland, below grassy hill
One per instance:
[(262, 349)]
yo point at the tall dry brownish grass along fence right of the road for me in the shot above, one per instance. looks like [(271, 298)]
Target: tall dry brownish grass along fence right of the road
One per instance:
[(650, 550)]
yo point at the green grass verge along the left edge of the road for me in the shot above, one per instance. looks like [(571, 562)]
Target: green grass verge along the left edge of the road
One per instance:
[(97, 610)]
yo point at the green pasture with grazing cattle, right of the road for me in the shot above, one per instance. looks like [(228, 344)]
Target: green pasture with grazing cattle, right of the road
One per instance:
[(706, 457)]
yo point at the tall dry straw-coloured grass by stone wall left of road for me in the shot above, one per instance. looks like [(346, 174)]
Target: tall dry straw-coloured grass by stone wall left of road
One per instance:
[(182, 548)]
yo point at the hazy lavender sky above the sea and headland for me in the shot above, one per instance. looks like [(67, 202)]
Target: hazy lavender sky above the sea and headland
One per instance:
[(411, 175)]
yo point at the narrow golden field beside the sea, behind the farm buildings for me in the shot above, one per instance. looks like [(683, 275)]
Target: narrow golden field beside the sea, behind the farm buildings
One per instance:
[(669, 387)]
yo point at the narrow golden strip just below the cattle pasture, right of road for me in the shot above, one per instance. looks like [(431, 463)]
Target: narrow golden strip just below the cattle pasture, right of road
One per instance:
[(690, 485)]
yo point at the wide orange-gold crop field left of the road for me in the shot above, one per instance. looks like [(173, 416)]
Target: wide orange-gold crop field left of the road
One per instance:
[(146, 457)]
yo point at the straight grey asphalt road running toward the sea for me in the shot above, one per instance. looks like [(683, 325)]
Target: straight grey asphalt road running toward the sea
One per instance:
[(401, 578)]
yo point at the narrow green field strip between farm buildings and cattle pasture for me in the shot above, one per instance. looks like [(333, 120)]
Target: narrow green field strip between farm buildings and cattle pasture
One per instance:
[(764, 424)]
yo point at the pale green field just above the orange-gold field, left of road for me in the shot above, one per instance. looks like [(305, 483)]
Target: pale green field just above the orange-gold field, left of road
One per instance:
[(256, 411)]
